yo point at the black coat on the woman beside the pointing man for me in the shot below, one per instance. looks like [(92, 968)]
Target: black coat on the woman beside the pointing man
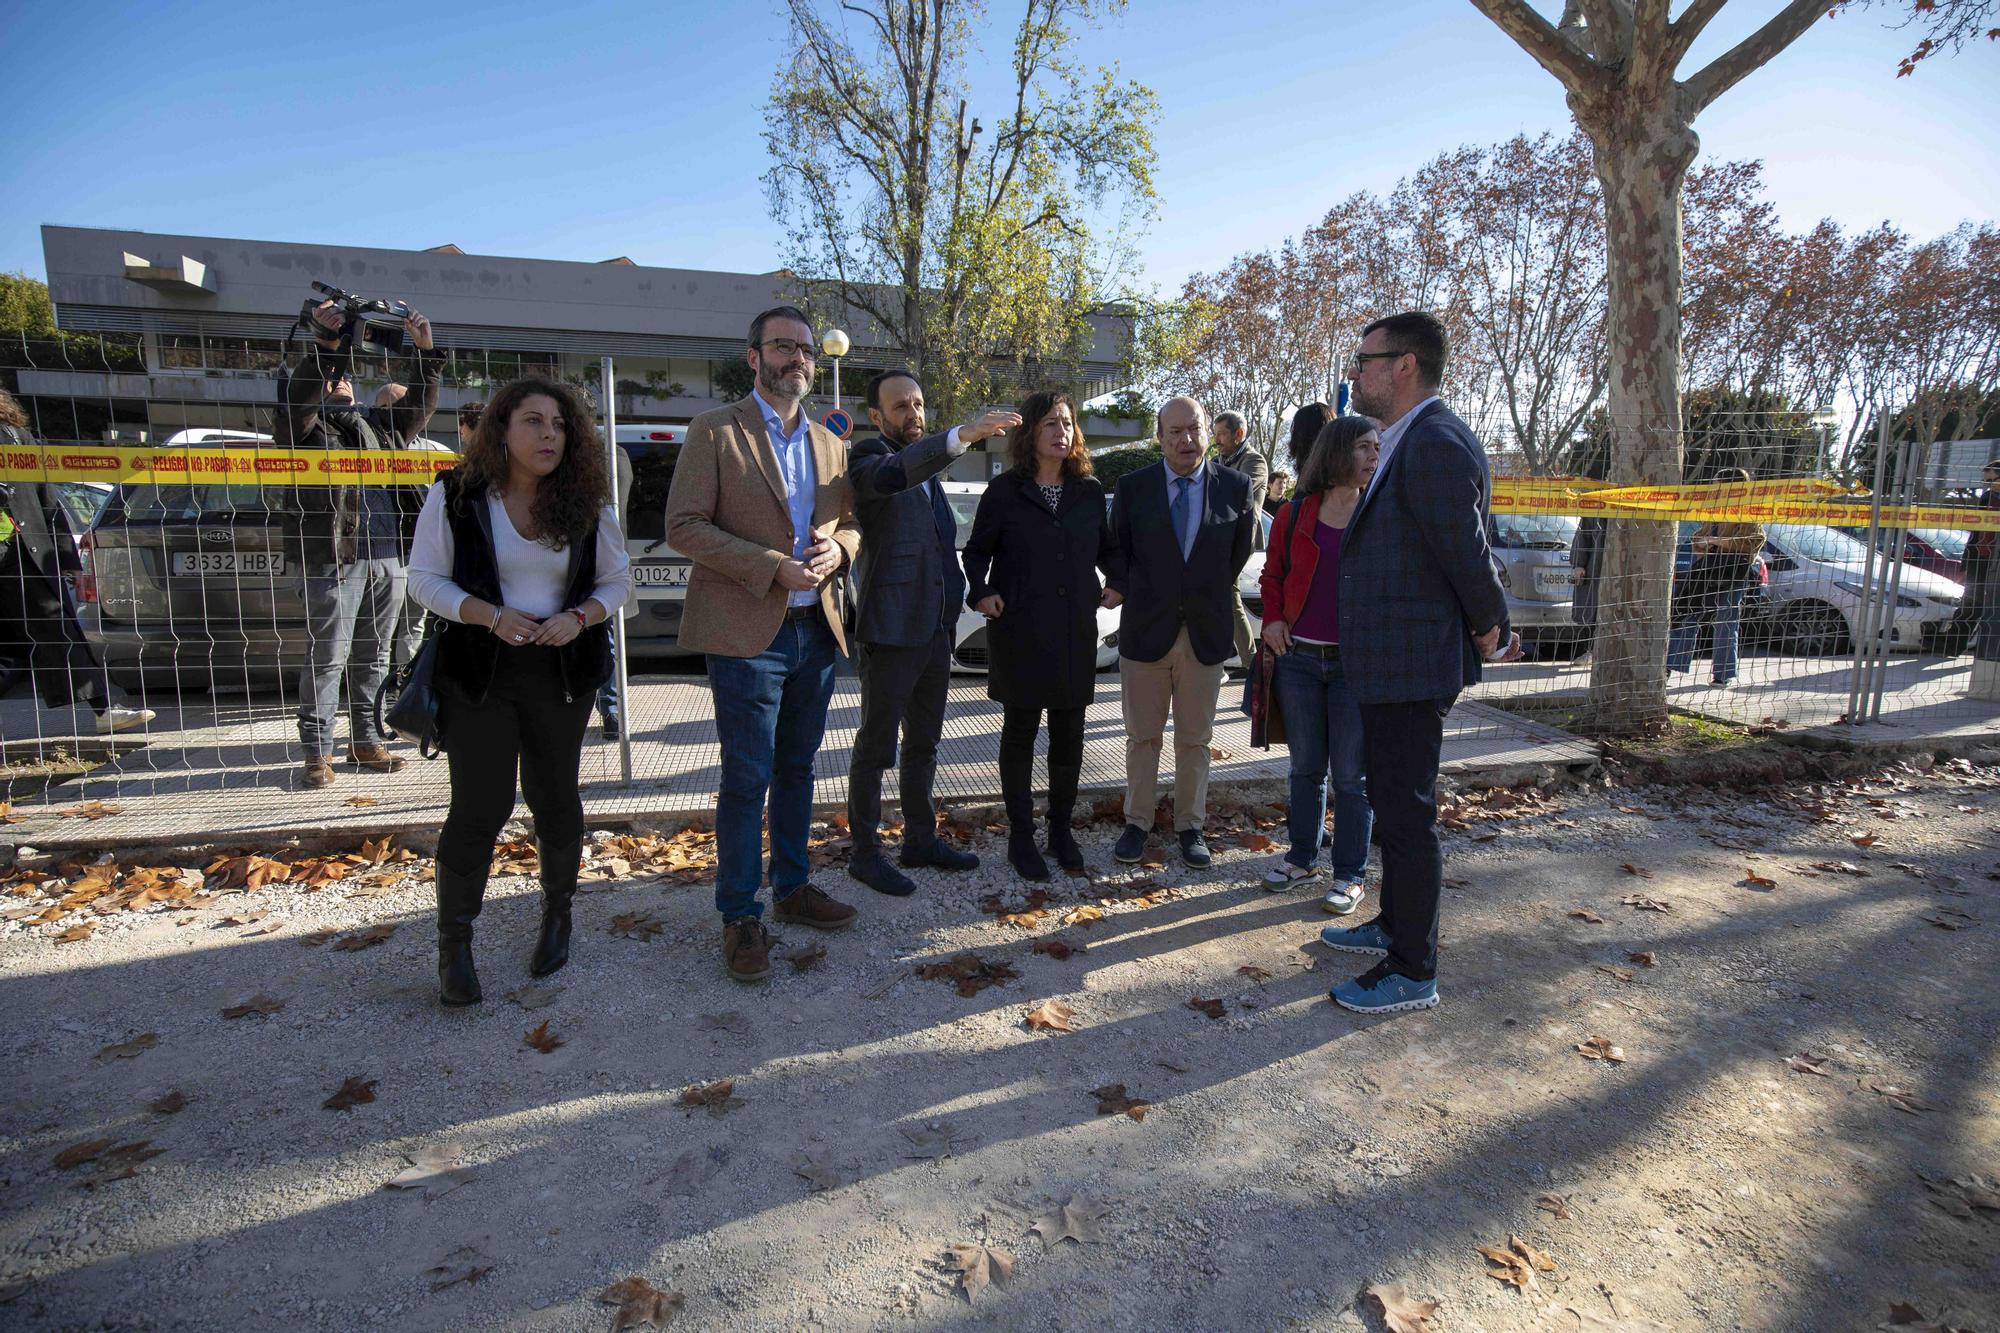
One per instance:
[(1043, 649)]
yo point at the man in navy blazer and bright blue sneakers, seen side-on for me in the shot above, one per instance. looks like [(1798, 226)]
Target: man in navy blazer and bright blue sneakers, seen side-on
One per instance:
[(1421, 609)]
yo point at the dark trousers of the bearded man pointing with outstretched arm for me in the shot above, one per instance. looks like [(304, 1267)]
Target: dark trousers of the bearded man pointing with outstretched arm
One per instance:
[(901, 690)]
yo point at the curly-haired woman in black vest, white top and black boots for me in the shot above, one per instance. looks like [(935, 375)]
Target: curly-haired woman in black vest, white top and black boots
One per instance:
[(519, 553)]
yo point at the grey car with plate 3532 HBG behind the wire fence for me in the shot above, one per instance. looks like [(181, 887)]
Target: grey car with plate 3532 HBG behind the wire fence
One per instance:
[(195, 585)]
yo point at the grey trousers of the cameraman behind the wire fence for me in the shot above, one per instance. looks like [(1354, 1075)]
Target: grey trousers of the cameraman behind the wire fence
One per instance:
[(351, 623)]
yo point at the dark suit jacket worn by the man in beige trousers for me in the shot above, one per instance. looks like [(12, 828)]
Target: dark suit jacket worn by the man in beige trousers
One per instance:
[(1167, 593)]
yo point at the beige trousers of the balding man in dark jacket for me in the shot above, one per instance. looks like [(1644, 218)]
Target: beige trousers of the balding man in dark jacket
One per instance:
[(1149, 690)]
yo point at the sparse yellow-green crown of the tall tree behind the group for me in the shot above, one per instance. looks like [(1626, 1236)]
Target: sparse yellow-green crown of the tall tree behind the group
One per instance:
[(963, 247)]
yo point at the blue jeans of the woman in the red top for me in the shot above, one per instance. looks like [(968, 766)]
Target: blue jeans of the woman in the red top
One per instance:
[(1323, 728)]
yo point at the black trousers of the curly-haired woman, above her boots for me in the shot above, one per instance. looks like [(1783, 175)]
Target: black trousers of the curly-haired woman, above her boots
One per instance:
[(523, 728)]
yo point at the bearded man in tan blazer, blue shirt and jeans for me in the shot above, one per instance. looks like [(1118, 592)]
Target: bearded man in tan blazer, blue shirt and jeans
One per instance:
[(763, 509)]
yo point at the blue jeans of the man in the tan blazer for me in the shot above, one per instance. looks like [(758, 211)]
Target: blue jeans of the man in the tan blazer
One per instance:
[(771, 718)]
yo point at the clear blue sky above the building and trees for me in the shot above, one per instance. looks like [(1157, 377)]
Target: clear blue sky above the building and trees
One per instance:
[(599, 129)]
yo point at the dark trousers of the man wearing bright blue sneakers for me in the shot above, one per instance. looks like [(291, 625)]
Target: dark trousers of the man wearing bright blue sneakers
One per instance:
[(1401, 746)]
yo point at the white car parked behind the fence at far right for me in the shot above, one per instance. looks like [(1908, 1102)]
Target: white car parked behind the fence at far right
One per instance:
[(1817, 587)]
